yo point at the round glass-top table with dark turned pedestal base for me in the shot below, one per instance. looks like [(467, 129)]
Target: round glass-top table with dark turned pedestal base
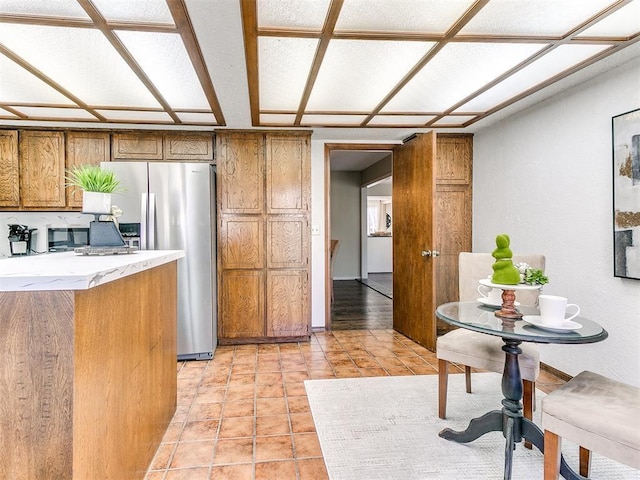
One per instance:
[(513, 331)]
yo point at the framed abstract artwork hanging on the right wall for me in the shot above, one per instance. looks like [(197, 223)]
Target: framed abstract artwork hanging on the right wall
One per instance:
[(625, 133)]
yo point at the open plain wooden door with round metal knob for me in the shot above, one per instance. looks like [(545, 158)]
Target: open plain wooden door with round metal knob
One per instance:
[(413, 233)]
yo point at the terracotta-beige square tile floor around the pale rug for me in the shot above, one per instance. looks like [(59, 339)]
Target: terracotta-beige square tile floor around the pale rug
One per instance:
[(245, 414)]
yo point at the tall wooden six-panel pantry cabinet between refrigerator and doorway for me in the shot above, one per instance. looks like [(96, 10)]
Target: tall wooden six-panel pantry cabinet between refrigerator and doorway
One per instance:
[(264, 190)]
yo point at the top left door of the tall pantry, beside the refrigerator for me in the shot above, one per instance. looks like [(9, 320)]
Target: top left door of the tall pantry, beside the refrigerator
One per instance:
[(240, 173)]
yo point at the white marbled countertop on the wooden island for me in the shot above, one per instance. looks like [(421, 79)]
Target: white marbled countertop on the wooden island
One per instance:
[(68, 271)]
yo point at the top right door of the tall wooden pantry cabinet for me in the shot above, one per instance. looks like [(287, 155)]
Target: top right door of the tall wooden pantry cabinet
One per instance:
[(288, 175)]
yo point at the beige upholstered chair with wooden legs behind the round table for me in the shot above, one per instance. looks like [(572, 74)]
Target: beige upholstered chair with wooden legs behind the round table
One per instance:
[(477, 350)]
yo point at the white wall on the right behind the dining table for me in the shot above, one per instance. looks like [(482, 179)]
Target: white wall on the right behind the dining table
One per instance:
[(544, 176)]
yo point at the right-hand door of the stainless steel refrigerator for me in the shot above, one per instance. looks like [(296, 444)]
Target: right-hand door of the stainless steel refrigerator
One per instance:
[(184, 211)]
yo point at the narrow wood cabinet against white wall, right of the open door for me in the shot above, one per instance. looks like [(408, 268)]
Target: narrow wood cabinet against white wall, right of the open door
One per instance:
[(453, 207)]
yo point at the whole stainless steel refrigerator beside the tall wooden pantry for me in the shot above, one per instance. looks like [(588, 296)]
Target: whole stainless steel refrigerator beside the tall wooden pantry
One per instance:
[(174, 204)]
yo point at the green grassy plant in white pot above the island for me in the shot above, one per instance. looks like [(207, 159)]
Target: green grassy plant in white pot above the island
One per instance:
[(97, 186)]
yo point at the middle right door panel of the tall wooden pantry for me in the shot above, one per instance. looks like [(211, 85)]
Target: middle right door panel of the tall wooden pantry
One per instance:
[(287, 241)]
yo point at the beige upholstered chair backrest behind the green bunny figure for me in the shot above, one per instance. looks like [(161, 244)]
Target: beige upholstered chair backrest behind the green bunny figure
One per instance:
[(473, 267)]
